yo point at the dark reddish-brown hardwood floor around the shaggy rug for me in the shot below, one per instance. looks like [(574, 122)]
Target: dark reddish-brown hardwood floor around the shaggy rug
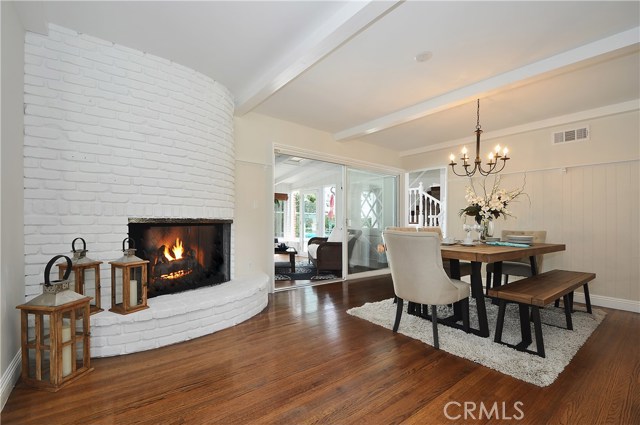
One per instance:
[(304, 360)]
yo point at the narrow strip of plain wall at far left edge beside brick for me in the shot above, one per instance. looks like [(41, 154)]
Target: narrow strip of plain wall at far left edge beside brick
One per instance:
[(11, 192)]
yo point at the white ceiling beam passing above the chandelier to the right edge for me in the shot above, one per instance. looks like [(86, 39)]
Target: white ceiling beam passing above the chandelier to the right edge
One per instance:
[(482, 88)]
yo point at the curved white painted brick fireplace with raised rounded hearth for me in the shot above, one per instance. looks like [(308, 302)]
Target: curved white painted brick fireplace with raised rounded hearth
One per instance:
[(112, 133)]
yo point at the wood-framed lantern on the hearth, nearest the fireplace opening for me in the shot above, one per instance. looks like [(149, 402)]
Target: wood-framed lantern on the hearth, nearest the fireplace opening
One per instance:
[(128, 281)]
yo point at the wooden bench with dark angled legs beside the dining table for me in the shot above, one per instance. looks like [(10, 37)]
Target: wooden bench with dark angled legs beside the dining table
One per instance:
[(535, 292)]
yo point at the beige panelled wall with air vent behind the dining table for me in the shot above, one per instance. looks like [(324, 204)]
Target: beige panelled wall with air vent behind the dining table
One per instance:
[(585, 194)]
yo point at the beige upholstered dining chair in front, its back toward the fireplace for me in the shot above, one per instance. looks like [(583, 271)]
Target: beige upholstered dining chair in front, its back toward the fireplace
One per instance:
[(418, 276)]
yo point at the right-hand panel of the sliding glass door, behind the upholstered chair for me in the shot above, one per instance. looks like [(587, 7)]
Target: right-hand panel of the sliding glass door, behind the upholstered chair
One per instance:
[(371, 206)]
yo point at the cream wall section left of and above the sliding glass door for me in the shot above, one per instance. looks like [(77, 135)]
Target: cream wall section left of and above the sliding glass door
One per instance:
[(255, 135)]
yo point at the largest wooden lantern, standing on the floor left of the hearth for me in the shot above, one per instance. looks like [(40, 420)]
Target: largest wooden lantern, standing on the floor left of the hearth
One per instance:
[(55, 334)]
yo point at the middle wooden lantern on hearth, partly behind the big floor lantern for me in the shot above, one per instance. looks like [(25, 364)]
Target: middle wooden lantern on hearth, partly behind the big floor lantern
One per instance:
[(85, 273)]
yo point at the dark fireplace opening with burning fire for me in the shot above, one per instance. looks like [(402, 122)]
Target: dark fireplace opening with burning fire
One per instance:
[(182, 254)]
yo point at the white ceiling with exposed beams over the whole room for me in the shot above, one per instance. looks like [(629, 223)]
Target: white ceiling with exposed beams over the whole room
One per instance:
[(348, 68)]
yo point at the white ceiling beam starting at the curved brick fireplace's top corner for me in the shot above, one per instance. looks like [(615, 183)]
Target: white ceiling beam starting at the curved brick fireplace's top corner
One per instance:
[(353, 18)]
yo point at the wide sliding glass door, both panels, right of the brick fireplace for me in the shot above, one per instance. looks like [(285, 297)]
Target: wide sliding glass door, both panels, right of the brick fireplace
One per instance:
[(312, 201)]
